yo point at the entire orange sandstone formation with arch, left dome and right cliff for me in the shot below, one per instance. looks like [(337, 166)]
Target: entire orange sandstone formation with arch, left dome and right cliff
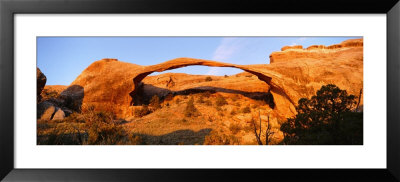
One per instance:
[(293, 73)]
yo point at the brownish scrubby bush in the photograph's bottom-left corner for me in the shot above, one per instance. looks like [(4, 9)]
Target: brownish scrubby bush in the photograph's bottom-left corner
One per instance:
[(91, 127)]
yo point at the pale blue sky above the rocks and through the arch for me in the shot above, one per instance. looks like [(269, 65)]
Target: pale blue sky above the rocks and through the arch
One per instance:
[(62, 59)]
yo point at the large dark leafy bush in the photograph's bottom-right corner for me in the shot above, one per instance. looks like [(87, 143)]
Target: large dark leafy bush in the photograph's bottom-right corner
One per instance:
[(325, 119)]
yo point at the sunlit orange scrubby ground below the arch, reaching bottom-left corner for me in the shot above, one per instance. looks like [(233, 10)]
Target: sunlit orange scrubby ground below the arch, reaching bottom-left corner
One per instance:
[(216, 124)]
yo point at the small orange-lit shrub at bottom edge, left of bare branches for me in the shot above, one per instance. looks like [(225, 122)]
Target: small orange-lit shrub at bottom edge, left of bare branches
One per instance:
[(215, 138)]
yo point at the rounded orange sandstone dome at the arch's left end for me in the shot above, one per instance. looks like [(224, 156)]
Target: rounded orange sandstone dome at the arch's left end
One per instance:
[(107, 84)]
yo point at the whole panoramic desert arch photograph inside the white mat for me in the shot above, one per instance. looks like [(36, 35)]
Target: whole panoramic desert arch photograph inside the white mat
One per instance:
[(199, 90)]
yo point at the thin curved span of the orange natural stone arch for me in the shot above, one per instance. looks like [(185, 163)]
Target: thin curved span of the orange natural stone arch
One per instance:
[(183, 62)]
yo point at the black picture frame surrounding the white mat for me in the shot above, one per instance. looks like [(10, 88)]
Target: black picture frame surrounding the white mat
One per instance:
[(9, 8)]
